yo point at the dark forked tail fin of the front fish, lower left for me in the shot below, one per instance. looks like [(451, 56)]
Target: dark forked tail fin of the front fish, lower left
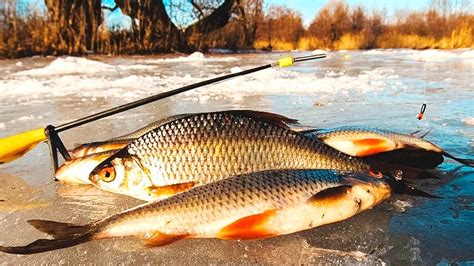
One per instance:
[(66, 235)]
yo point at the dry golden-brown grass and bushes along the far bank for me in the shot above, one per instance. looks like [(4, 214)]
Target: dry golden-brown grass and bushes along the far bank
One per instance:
[(40, 35)]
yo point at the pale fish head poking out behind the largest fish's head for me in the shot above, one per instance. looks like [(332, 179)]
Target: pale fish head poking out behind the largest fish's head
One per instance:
[(76, 171)]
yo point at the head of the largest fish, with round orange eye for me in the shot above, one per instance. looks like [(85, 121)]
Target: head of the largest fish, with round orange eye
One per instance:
[(123, 174)]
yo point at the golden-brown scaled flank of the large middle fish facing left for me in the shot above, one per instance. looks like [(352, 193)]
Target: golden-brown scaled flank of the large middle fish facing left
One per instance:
[(223, 144)]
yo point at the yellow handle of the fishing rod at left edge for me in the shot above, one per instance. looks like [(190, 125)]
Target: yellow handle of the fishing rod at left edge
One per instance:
[(16, 146)]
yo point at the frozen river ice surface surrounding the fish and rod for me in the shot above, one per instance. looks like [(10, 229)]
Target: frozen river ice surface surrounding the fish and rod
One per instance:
[(383, 88)]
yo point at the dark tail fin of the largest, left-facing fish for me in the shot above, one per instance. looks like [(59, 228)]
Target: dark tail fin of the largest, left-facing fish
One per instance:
[(399, 172)]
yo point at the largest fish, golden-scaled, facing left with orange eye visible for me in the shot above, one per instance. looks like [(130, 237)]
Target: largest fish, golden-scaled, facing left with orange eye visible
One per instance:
[(201, 148)]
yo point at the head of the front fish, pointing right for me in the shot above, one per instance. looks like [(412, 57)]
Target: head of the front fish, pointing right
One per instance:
[(369, 190)]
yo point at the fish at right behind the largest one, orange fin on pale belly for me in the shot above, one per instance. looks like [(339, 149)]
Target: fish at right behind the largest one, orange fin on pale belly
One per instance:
[(376, 143)]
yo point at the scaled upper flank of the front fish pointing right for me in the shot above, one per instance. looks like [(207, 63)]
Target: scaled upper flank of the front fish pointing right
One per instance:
[(237, 196)]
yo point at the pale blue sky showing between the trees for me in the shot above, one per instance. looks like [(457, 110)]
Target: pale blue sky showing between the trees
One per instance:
[(308, 8)]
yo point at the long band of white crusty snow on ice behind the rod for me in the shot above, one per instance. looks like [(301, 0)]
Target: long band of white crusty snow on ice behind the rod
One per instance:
[(37, 83)]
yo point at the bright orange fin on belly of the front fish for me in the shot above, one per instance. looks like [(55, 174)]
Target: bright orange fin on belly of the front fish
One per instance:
[(250, 227)]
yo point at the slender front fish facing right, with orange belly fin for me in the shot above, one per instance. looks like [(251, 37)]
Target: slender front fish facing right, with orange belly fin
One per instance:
[(250, 206)]
